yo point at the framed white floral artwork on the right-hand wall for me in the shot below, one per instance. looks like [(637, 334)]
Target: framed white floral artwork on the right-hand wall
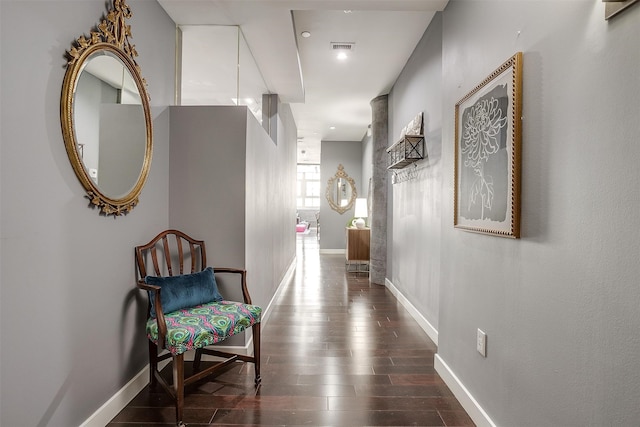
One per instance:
[(488, 139)]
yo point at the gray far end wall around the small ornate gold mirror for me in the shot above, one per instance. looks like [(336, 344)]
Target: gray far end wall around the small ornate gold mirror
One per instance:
[(333, 153)]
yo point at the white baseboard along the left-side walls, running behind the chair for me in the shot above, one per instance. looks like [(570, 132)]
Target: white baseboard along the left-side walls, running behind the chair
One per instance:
[(121, 399)]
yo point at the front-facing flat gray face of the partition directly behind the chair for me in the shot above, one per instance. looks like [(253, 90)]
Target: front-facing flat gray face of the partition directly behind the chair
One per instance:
[(207, 179)]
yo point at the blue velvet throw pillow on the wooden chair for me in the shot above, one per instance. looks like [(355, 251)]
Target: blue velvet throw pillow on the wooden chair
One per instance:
[(184, 291)]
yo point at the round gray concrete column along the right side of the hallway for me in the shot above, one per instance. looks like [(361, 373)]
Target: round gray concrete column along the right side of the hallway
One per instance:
[(380, 140)]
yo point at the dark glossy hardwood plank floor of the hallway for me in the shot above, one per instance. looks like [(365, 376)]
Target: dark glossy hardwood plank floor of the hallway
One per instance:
[(336, 351)]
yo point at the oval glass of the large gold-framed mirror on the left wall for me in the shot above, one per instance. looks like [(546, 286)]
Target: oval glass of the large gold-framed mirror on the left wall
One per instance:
[(109, 124)]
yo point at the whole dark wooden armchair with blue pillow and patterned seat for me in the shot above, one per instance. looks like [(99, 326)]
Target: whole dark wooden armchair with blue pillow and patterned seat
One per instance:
[(202, 316)]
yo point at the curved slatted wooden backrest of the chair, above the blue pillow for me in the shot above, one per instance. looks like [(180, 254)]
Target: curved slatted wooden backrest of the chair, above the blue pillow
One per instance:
[(168, 252)]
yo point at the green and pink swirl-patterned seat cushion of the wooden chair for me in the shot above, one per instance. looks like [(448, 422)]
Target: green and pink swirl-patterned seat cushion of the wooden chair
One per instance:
[(203, 325)]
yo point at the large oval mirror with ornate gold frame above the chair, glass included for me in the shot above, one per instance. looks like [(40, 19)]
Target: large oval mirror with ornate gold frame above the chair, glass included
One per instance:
[(105, 115)]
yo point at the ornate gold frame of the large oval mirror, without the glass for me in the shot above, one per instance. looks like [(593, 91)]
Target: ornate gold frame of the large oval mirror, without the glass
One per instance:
[(111, 37)]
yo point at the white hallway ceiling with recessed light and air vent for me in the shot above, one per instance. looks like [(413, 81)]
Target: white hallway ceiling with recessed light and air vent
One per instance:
[(323, 92)]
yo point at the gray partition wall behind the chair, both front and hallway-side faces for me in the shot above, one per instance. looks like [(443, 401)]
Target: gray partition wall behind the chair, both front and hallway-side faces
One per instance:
[(231, 186)]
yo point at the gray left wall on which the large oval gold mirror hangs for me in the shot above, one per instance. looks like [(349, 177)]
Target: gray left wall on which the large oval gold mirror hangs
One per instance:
[(70, 317)]
